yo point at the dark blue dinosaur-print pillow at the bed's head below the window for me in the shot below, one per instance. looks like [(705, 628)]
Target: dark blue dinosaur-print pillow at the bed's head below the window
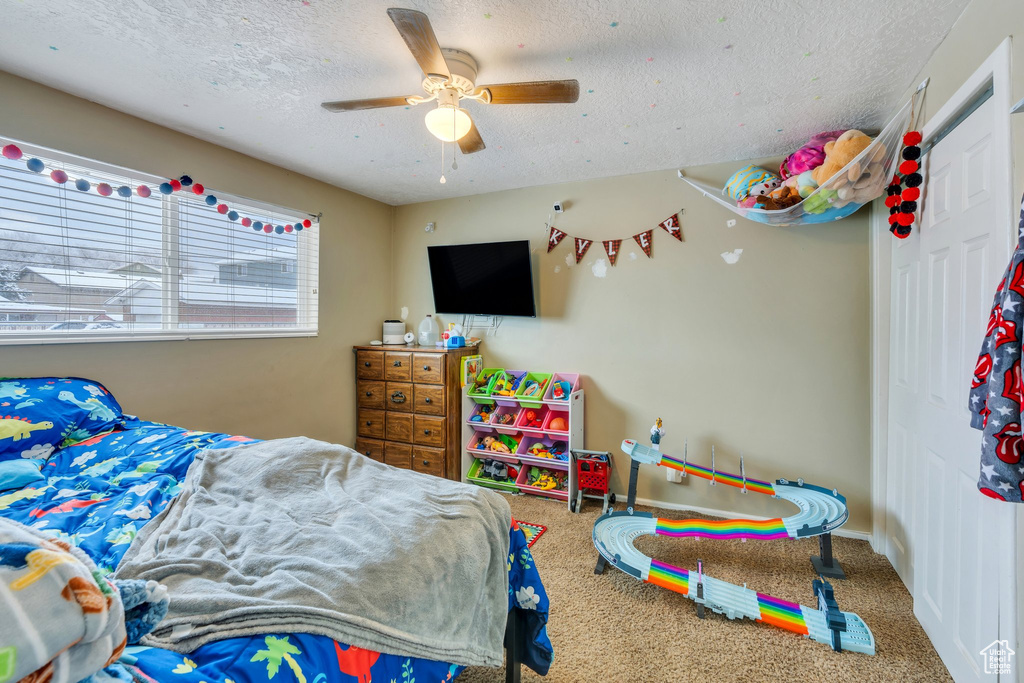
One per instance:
[(42, 414)]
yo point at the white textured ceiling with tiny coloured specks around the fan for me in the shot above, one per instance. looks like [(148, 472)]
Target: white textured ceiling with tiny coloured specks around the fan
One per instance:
[(664, 83)]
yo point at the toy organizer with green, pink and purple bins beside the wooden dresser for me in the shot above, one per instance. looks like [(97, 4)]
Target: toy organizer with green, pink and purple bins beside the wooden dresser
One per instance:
[(523, 422)]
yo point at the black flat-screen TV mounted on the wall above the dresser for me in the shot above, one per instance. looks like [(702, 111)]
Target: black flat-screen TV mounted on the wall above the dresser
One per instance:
[(487, 279)]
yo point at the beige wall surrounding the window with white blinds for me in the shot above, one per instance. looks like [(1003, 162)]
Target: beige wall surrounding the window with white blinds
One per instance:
[(267, 388)]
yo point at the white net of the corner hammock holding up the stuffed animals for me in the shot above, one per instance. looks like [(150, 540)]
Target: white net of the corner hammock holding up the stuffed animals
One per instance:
[(858, 184)]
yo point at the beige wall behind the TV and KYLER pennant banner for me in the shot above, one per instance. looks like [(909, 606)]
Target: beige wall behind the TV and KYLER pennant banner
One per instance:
[(769, 358)]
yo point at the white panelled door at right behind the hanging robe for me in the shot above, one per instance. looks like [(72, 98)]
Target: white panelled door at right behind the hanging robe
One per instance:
[(943, 535)]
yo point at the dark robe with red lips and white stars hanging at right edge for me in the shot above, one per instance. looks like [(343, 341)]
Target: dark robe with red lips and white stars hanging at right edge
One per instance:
[(997, 391)]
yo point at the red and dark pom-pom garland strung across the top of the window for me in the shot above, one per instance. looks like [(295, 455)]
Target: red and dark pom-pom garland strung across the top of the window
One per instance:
[(60, 177)]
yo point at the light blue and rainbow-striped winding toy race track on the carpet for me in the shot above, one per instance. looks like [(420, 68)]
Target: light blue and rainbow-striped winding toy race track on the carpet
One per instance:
[(821, 511)]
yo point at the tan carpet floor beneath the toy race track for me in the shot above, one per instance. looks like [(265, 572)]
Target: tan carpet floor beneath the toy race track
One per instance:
[(614, 628)]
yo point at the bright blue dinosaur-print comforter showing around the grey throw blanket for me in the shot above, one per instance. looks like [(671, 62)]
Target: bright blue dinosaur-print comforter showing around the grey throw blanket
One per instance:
[(101, 492)]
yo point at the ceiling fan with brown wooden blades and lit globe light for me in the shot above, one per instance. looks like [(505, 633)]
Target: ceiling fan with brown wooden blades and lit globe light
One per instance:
[(451, 77)]
